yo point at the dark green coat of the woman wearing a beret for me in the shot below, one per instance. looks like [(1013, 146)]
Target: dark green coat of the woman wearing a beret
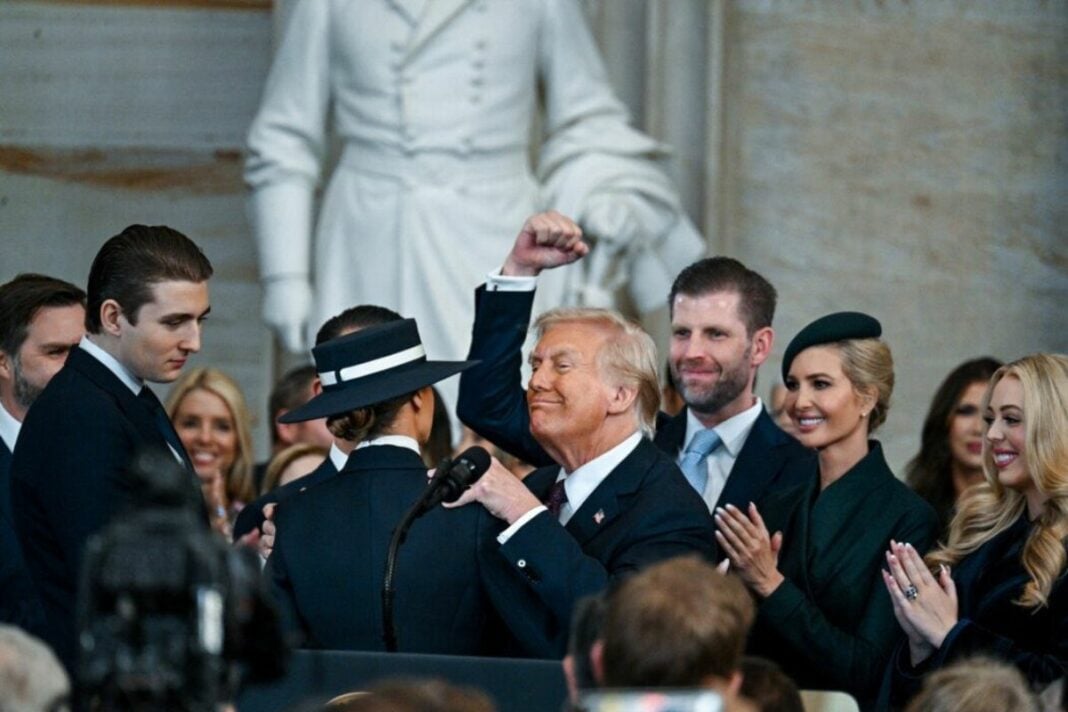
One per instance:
[(830, 625)]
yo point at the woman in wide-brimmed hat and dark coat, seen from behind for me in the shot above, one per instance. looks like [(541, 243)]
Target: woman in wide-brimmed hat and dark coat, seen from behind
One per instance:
[(328, 564)]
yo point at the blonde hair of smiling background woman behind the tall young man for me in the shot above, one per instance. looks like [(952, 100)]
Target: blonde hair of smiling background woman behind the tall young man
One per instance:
[(240, 485)]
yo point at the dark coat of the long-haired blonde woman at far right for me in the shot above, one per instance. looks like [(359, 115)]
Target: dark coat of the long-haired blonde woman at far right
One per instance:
[(988, 581)]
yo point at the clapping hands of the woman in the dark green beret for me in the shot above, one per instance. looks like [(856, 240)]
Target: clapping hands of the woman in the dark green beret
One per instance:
[(752, 551)]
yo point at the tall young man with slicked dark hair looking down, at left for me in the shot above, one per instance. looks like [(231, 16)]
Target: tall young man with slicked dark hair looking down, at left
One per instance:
[(147, 298)]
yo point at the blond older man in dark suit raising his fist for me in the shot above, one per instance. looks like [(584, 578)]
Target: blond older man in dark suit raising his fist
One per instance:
[(612, 502)]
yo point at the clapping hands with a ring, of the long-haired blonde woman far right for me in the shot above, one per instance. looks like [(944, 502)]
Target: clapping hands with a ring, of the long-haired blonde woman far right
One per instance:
[(925, 608)]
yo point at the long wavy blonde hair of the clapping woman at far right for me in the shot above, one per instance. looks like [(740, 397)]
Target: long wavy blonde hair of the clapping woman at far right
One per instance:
[(990, 509)]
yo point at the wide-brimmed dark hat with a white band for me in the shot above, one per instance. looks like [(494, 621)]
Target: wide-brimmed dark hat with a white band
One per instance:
[(370, 367)]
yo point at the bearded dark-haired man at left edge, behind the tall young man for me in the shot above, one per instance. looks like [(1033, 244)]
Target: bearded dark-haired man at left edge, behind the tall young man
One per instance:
[(42, 319)]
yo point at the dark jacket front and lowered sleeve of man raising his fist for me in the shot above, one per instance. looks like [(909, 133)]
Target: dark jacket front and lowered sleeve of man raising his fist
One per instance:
[(645, 512)]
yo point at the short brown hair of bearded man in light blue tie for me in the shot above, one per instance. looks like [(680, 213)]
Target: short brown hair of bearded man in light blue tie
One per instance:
[(757, 297)]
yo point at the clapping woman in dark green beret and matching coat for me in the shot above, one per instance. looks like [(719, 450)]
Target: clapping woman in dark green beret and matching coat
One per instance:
[(823, 615)]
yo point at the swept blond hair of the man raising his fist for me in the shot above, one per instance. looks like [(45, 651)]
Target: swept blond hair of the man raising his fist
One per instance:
[(630, 357)]
